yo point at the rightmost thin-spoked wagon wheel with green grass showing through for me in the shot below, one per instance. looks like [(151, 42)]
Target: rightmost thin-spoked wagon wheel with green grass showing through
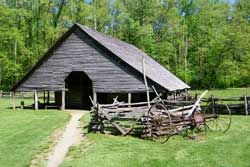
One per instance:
[(215, 121)]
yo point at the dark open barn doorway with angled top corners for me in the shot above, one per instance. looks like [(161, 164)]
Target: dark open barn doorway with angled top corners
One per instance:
[(79, 89)]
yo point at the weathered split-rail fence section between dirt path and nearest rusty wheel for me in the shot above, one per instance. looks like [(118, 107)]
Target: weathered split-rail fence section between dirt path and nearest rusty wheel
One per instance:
[(118, 118)]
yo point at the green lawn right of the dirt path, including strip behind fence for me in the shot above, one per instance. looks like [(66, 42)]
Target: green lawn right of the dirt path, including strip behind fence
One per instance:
[(215, 150)]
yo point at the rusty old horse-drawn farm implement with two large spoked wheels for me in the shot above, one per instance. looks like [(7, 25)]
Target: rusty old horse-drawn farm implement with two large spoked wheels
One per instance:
[(163, 122)]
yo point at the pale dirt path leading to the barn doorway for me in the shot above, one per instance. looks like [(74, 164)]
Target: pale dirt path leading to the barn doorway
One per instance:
[(72, 135)]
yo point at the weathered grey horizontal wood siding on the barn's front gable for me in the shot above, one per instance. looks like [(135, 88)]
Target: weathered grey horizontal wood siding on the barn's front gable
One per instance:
[(79, 53)]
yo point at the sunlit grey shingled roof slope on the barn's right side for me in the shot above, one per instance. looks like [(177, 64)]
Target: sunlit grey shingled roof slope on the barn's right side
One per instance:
[(133, 56)]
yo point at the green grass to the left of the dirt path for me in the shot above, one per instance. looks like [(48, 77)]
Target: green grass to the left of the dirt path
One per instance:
[(23, 133)]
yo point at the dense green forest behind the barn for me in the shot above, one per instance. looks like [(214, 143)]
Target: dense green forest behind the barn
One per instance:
[(204, 42)]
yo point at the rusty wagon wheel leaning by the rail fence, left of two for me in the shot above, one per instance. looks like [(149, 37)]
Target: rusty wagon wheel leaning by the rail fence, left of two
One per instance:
[(159, 124)]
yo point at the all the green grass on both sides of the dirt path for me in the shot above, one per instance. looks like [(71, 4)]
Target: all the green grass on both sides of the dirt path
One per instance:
[(24, 135)]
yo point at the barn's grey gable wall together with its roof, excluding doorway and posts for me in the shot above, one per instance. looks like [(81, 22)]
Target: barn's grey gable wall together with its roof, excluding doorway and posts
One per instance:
[(112, 65)]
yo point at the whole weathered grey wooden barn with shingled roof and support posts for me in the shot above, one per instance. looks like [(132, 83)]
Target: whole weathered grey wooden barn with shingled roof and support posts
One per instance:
[(85, 64)]
